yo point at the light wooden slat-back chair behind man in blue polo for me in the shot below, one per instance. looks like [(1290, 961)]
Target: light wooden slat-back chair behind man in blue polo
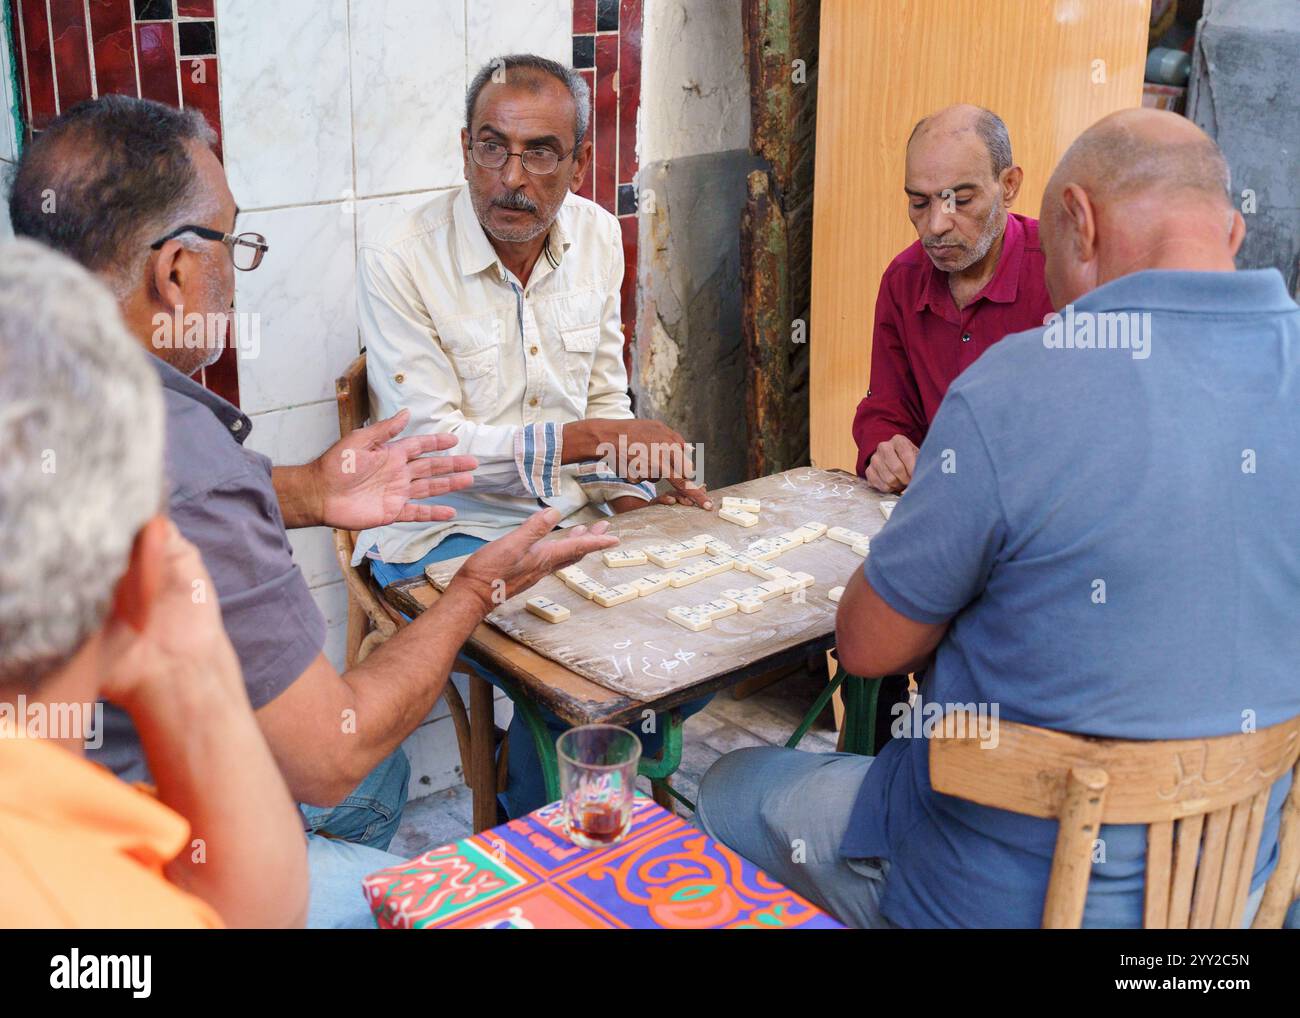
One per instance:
[(1203, 802)]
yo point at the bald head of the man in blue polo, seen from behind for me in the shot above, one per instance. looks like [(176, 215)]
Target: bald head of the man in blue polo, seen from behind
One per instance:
[(1141, 189)]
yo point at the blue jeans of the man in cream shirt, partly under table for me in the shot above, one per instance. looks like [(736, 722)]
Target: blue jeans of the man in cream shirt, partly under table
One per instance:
[(526, 787)]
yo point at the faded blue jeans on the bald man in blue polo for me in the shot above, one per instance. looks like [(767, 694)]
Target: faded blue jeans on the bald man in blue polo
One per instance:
[(787, 812)]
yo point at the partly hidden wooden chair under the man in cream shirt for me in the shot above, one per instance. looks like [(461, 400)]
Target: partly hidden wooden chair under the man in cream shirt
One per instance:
[(370, 618)]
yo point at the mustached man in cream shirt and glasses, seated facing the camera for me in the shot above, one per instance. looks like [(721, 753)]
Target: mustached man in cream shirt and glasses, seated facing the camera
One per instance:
[(493, 314)]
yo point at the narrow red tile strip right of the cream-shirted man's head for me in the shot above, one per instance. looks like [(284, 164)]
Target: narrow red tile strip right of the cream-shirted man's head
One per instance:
[(608, 49)]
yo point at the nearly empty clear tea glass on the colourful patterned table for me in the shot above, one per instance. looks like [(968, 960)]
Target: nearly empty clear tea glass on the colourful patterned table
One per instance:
[(599, 776)]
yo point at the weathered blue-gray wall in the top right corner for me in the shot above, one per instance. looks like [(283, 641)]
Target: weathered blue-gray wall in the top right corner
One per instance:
[(1245, 96)]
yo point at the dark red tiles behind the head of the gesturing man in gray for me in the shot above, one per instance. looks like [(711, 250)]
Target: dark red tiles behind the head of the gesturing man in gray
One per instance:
[(163, 50)]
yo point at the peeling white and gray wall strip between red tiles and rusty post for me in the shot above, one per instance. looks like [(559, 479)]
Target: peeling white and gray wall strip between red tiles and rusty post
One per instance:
[(688, 363)]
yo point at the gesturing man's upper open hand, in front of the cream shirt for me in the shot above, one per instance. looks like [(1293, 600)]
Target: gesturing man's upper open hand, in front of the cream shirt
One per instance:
[(367, 480)]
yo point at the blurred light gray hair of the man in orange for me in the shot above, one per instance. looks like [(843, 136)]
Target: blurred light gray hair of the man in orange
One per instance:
[(81, 457)]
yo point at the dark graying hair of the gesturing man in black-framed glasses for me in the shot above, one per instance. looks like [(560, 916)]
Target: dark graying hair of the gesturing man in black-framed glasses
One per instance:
[(110, 177)]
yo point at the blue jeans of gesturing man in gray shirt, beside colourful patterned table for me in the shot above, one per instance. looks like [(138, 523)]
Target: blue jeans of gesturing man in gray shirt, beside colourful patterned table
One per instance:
[(359, 829)]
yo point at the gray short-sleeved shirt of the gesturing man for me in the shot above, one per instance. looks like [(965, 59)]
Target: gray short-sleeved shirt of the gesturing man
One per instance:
[(224, 502)]
